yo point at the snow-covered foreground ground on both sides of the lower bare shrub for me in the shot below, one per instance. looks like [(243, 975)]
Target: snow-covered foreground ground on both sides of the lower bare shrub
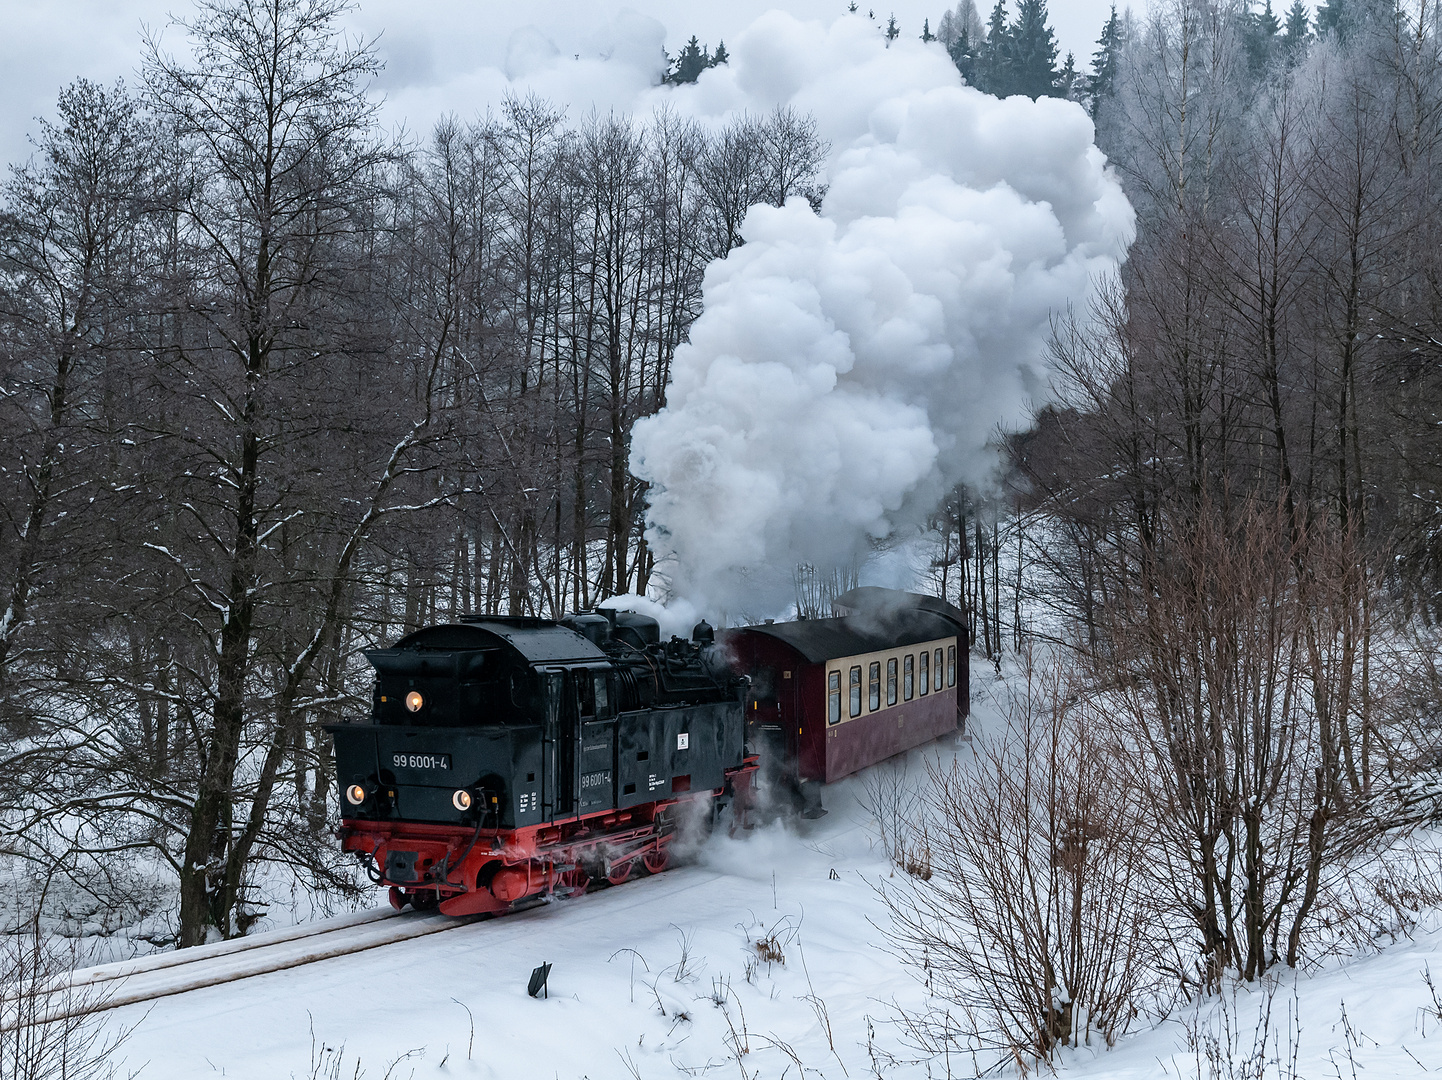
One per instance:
[(663, 977)]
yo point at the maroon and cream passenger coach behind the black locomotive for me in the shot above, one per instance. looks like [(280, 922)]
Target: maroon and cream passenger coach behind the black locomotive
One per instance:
[(834, 696)]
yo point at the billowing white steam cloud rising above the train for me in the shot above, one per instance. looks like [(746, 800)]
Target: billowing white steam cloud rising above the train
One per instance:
[(850, 368)]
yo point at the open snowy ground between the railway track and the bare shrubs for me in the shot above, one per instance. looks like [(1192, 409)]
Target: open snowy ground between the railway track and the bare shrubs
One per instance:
[(638, 977)]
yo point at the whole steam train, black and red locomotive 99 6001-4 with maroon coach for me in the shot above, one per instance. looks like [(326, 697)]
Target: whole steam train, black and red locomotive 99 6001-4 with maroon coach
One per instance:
[(510, 759)]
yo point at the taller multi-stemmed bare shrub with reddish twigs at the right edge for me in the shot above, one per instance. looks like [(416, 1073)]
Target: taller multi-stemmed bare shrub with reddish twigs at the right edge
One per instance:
[(1274, 723)]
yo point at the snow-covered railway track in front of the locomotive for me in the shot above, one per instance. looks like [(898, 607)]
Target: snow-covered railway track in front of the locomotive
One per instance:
[(162, 975)]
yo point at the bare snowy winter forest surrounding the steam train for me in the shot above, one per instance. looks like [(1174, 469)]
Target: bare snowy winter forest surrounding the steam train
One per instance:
[(278, 387)]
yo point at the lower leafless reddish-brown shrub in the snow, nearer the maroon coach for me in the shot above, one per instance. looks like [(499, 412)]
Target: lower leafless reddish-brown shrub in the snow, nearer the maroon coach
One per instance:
[(1032, 926)]
